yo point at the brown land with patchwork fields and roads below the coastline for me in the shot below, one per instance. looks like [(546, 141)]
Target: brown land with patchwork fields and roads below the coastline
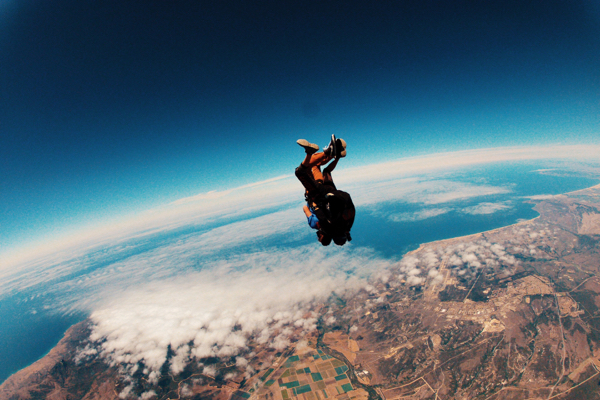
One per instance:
[(512, 313)]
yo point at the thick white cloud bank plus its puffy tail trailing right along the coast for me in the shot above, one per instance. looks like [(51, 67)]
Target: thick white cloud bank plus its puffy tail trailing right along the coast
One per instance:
[(268, 297)]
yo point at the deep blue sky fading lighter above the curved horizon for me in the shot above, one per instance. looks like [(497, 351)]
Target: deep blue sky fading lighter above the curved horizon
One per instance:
[(108, 107)]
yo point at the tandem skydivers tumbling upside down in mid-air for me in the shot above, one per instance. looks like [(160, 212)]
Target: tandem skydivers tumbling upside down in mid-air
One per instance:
[(328, 210)]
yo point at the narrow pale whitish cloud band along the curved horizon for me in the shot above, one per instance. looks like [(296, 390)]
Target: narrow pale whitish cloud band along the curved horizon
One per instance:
[(213, 206)]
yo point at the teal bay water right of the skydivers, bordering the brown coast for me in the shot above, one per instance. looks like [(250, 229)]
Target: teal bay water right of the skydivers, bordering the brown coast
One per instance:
[(396, 238)]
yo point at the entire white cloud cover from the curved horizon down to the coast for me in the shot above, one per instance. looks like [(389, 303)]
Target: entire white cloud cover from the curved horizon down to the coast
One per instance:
[(197, 293)]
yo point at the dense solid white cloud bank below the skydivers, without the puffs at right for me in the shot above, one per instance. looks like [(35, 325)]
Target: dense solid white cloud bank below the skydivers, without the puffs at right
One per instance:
[(265, 297)]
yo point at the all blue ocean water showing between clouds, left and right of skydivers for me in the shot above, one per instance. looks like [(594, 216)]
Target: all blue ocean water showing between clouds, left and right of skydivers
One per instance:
[(29, 331)]
